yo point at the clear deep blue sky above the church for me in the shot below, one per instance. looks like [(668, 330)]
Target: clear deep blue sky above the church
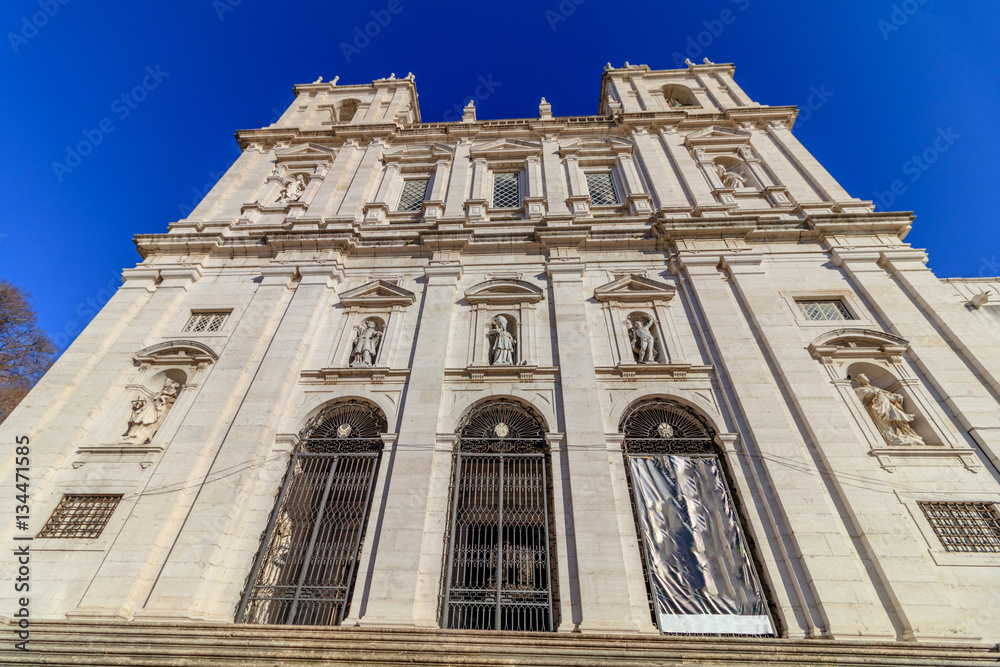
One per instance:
[(901, 93)]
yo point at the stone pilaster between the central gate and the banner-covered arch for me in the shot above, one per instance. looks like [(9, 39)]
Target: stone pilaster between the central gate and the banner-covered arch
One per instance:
[(594, 546)]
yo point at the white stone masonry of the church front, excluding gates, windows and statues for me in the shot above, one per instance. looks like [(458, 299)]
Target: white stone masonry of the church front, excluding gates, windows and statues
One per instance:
[(723, 223)]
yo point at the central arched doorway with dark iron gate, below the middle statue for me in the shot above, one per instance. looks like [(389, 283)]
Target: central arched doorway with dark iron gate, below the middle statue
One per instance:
[(499, 571)]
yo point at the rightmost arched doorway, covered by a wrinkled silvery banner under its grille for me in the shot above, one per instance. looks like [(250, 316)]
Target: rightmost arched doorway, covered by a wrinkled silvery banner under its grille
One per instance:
[(700, 576)]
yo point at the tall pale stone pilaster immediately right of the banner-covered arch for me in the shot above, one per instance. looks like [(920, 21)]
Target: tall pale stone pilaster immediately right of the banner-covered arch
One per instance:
[(827, 576)]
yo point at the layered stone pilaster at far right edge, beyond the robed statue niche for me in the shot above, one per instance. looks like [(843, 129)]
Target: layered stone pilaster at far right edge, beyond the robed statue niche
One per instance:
[(895, 297)]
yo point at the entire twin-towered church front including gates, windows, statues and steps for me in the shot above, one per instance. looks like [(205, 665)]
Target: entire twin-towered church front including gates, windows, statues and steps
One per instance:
[(648, 382)]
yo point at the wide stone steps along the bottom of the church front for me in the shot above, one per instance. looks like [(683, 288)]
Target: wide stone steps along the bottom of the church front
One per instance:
[(57, 643)]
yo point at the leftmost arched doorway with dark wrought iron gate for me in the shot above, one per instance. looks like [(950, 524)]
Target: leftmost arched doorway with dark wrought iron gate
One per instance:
[(304, 572)]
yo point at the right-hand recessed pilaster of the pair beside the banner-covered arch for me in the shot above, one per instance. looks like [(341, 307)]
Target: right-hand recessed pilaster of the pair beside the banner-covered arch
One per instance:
[(879, 528)]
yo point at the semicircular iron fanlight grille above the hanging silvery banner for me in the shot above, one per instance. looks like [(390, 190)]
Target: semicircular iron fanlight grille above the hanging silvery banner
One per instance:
[(660, 427)]
